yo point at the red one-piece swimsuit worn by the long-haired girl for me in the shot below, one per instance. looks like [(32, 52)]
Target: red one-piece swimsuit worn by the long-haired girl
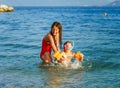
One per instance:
[(46, 47)]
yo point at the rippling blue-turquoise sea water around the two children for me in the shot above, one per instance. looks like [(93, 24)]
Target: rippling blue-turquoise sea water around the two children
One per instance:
[(95, 35)]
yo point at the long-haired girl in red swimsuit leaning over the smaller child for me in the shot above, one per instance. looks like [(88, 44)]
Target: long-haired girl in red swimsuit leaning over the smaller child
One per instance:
[(51, 41)]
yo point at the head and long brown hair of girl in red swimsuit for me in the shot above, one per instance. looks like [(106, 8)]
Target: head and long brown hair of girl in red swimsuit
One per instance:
[(56, 28)]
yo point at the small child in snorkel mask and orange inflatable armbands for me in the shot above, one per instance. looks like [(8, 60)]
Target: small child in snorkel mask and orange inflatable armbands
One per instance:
[(66, 55)]
